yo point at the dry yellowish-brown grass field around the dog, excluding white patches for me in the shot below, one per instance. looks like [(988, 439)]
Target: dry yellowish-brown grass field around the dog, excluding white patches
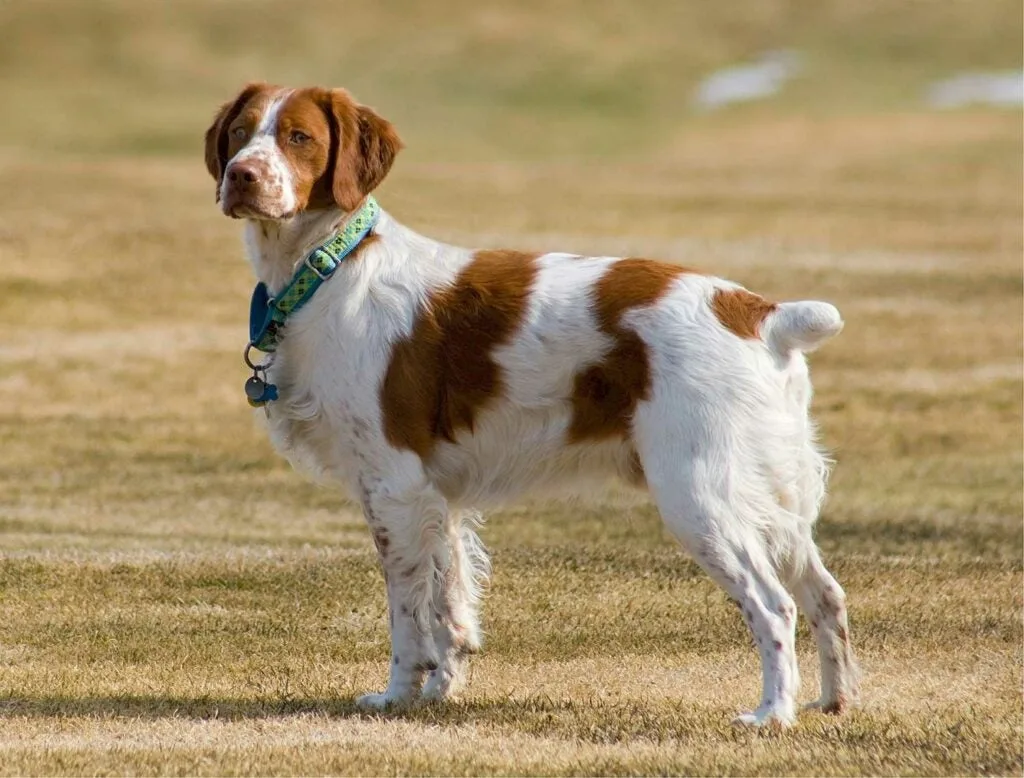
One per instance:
[(175, 600)]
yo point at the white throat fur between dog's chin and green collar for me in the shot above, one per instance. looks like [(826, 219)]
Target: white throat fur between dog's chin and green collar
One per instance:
[(277, 248)]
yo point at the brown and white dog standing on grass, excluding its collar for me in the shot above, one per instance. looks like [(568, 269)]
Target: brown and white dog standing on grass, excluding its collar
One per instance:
[(433, 381)]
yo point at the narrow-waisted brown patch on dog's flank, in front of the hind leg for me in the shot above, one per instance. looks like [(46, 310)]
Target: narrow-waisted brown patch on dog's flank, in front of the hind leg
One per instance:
[(606, 395)]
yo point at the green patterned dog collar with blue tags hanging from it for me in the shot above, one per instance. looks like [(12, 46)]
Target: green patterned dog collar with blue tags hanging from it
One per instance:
[(268, 316)]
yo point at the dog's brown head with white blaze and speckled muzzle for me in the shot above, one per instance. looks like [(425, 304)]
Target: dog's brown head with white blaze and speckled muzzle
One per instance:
[(277, 152)]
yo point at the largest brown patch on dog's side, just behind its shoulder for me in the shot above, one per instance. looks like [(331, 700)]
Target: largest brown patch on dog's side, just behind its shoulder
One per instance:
[(444, 374)]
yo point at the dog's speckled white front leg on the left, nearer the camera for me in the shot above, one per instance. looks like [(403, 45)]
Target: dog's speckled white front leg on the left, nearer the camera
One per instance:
[(408, 529)]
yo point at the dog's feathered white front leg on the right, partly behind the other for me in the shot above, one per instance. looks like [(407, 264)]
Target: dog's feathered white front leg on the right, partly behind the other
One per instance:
[(457, 596)]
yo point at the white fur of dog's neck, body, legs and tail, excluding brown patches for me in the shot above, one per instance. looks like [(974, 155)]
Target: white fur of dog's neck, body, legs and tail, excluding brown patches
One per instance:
[(726, 441)]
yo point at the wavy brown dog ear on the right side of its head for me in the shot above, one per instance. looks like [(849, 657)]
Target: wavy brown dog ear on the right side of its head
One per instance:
[(364, 146)]
